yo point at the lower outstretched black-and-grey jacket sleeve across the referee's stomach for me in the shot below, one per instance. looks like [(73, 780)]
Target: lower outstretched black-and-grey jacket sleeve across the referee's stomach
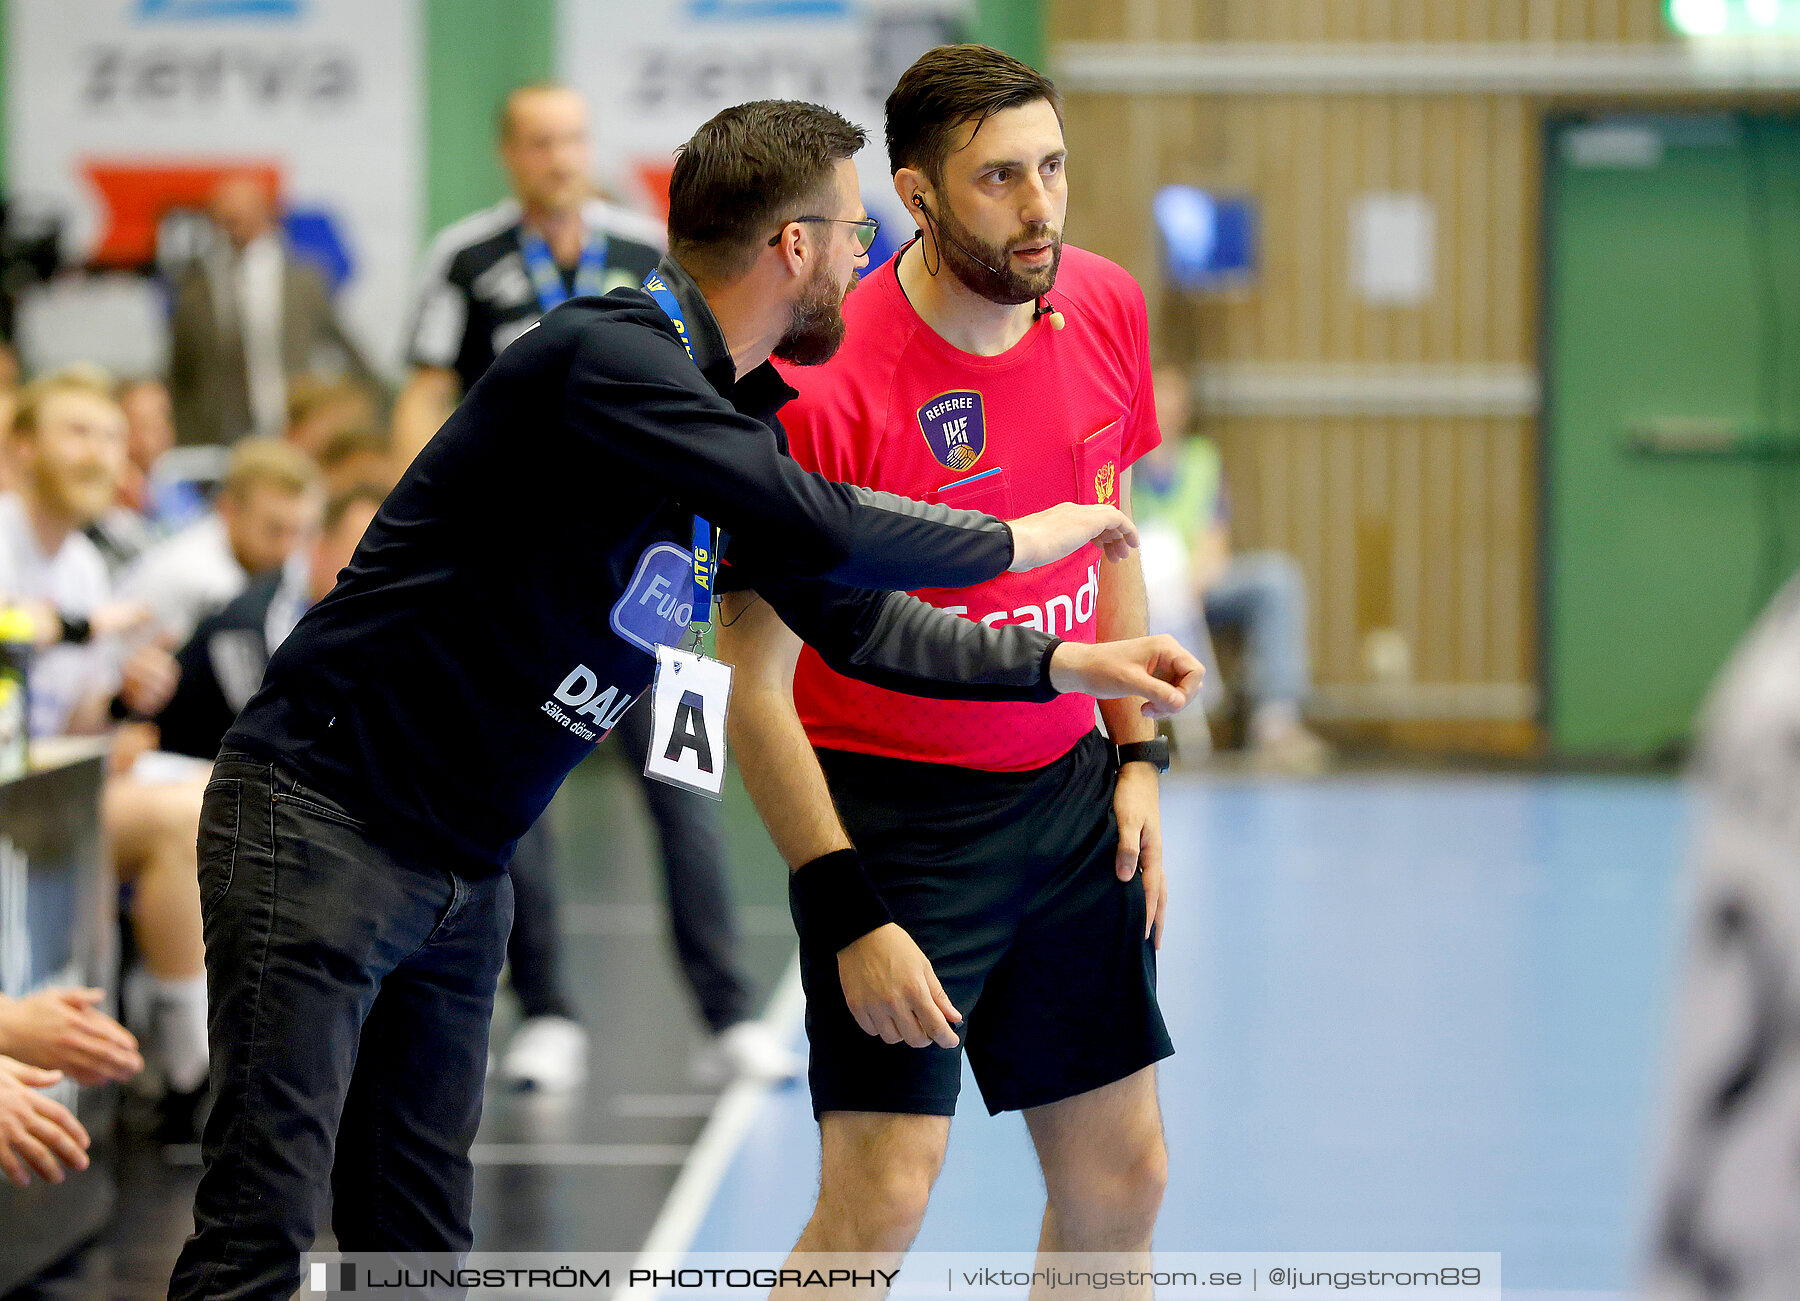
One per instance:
[(894, 640)]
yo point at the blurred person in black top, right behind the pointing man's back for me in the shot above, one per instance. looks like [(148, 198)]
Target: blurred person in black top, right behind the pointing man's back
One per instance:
[(224, 661)]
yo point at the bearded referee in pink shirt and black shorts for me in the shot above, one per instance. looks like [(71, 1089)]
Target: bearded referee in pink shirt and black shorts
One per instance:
[(1003, 859)]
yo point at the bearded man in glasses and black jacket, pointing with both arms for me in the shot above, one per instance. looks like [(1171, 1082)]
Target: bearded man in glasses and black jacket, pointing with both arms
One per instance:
[(498, 620)]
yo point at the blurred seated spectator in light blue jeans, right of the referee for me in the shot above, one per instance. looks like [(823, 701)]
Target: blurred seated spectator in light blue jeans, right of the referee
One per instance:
[(1198, 586)]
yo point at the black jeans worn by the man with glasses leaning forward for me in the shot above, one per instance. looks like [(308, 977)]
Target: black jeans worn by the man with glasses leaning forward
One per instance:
[(350, 1000)]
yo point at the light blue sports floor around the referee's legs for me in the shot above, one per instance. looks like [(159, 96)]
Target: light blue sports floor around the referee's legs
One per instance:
[(1410, 1014)]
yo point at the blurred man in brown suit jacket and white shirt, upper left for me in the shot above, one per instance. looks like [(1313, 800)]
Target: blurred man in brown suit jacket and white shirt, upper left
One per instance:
[(246, 318)]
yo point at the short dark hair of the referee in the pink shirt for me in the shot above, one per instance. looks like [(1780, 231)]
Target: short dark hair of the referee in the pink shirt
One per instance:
[(953, 85)]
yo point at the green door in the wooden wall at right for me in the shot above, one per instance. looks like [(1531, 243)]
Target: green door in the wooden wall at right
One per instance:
[(1673, 400)]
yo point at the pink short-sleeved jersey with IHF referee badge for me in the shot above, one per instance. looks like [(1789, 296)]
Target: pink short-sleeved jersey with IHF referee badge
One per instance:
[(1056, 418)]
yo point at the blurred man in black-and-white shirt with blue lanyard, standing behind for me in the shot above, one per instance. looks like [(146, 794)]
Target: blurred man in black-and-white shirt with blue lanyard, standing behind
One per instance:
[(490, 276)]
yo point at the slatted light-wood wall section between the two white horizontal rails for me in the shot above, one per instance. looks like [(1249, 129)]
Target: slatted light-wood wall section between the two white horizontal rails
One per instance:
[(1308, 159)]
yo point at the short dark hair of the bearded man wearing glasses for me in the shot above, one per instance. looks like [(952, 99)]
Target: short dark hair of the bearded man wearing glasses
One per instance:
[(748, 170)]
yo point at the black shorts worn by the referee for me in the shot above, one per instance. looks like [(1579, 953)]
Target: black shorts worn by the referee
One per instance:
[(1007, 881)]
